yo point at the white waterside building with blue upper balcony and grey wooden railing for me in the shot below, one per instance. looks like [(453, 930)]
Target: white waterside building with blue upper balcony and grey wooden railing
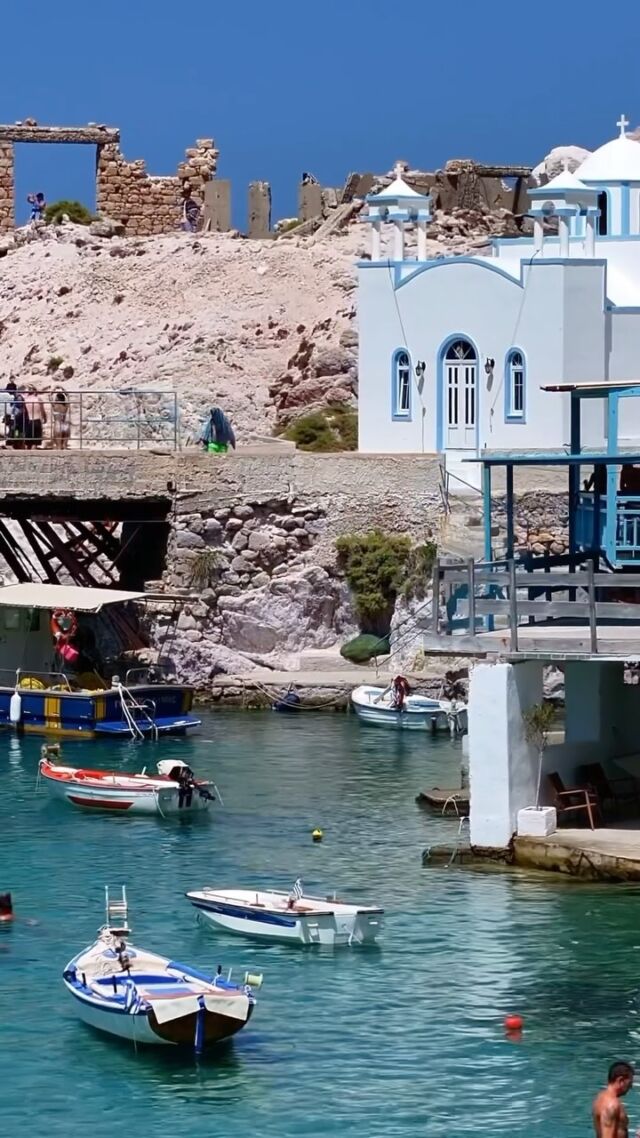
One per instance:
[(579, 613)]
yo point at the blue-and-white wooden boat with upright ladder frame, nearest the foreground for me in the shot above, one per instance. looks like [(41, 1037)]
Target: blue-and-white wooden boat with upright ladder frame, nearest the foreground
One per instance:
[(127, 992)]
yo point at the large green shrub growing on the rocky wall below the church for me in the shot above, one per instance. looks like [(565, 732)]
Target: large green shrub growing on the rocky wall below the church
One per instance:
[(375, 566)]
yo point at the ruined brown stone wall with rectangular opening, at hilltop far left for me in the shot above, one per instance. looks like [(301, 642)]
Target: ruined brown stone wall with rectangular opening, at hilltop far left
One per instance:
[(125, 192)]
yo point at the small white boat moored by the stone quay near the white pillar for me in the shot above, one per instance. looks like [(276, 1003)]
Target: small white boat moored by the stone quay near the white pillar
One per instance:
[(382, 708)]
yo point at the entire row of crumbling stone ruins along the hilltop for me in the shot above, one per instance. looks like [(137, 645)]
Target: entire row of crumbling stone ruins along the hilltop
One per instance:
[(146, 205)]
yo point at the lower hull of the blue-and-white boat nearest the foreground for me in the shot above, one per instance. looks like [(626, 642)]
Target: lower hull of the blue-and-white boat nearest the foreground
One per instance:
[(143, 1028)]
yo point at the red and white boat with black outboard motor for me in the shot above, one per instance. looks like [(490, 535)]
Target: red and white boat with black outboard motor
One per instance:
[(173, 793)]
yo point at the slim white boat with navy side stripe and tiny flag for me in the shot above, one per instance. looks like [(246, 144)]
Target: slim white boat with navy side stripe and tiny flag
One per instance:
[(296, 917)]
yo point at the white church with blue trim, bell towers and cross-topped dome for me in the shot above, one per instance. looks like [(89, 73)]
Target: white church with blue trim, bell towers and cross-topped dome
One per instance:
[(455, 351)]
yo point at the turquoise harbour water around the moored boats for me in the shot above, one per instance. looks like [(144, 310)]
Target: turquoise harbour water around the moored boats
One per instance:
[(405, 1041)]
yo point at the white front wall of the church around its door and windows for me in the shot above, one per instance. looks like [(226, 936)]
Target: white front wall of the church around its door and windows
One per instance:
[(496, 315)]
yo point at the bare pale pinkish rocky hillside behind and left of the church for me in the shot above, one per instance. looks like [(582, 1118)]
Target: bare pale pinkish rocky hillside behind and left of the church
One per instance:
[(265, 329)]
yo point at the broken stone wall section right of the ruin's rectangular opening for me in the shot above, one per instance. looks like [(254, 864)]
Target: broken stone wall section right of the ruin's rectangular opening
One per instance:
[(147, 205)]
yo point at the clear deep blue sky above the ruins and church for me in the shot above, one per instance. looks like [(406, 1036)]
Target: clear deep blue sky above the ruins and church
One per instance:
[(330, 87)]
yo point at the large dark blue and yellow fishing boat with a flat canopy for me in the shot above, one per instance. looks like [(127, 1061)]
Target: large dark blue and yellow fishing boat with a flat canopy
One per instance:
[(48, 685)]
